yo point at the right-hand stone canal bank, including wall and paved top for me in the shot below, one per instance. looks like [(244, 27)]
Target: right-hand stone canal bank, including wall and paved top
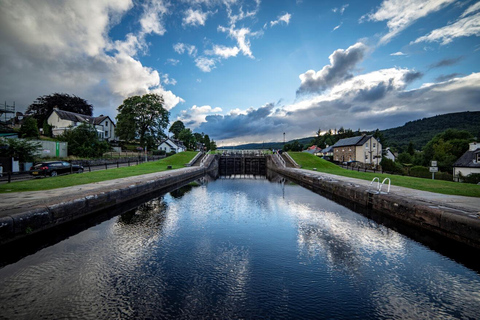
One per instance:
[(453, 217)]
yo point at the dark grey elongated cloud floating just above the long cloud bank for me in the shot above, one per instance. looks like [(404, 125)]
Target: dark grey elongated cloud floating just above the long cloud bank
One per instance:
[(342, 63)]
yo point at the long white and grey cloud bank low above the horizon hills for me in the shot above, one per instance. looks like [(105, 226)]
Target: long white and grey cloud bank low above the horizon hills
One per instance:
[(374, 100)]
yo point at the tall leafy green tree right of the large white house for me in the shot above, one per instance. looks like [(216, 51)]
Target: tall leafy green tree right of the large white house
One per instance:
[(140, 117)]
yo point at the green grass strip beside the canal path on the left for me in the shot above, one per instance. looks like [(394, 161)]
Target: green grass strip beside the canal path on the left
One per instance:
[(176, 161)]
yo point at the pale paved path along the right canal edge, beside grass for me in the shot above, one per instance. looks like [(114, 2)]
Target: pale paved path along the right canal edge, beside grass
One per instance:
[(470, 205)]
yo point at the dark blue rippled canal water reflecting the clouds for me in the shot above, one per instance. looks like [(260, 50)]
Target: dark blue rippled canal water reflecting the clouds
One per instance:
[(238, 249)]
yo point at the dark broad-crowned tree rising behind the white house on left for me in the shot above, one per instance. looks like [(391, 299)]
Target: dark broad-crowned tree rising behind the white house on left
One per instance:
[(41, 108)]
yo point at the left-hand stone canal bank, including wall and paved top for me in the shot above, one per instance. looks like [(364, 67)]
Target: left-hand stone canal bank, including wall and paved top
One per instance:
[(25, 213)]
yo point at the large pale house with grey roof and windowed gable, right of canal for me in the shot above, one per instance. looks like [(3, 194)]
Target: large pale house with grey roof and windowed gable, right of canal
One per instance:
[(365, 149)]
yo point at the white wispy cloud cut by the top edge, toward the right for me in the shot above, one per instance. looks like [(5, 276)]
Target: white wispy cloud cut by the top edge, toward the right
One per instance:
[(400, 14)]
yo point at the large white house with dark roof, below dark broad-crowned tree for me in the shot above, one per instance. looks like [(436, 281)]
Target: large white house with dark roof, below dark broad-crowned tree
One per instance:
[(64, 120)]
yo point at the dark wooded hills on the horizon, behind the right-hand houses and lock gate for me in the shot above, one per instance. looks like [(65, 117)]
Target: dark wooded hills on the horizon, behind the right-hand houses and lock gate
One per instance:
[(419, 132)]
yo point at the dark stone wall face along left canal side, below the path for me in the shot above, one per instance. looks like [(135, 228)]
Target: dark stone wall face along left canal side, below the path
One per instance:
[(21, 222)]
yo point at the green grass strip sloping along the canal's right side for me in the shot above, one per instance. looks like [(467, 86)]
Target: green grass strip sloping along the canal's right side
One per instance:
[(309, 161)]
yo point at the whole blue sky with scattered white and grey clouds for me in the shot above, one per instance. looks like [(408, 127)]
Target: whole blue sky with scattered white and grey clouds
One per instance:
[(249, 70)]
